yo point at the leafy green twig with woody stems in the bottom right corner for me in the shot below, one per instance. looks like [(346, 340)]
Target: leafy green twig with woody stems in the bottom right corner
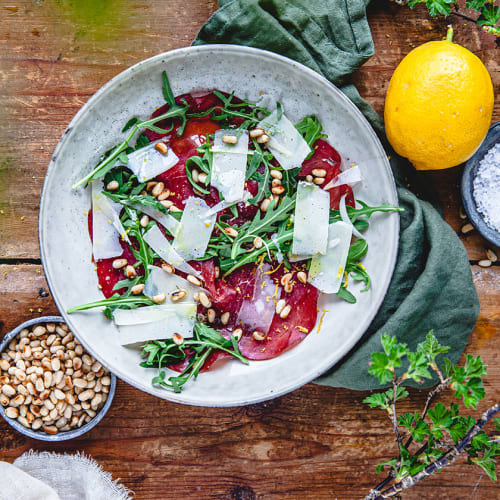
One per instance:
[(442, 433)]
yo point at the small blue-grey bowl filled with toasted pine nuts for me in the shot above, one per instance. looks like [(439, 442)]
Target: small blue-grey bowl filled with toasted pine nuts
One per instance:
[(50, 388)]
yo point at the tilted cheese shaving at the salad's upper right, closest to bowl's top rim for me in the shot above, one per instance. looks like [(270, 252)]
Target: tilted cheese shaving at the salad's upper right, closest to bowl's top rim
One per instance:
[(286, 143)]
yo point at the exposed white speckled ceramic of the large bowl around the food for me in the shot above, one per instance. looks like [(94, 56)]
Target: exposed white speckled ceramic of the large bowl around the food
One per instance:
[(66, 247)]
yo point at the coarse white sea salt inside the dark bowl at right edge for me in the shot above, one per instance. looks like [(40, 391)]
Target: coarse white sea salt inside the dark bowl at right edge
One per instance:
[(486, 190)]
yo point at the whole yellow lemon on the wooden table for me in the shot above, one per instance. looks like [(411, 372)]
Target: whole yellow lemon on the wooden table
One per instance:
[(438, 106)]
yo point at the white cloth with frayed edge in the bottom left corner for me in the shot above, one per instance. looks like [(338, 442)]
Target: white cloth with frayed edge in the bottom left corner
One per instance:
[(51, 476)]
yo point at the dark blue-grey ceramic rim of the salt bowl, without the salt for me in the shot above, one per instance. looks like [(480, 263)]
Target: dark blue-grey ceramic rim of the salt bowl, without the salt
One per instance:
[(470, 171)]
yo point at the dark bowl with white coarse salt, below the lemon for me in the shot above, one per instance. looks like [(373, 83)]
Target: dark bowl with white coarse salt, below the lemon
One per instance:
[(481, 187)]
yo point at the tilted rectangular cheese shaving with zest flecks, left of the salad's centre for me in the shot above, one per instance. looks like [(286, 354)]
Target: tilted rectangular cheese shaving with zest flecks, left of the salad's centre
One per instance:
[(195, 229)]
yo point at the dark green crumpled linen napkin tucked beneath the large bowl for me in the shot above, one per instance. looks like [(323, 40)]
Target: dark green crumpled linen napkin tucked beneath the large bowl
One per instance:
[(432, 285)]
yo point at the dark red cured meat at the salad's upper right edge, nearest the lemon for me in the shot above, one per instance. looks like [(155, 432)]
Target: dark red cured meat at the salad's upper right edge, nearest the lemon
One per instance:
[(326, 157)]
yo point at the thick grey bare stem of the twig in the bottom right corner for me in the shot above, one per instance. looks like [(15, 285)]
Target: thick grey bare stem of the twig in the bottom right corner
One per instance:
[(447, 459)]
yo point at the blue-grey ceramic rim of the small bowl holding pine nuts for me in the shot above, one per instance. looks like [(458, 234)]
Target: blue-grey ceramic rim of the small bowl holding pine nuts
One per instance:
[(62, 436)]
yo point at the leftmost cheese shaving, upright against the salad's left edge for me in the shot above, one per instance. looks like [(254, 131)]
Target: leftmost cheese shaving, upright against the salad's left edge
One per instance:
[(106, 226)]
